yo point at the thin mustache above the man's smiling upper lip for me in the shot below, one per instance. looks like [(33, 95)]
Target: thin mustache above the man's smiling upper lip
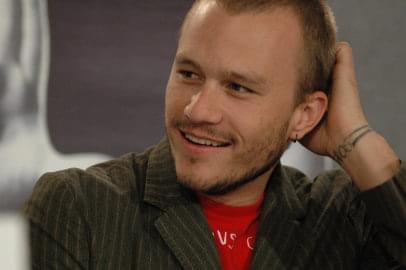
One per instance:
[(210, 130)]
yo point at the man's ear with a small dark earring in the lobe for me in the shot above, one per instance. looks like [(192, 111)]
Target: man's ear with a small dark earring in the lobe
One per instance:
[(308, 114)]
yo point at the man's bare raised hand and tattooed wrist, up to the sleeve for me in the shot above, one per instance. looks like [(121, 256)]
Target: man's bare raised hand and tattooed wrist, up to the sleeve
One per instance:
[(372, 161)]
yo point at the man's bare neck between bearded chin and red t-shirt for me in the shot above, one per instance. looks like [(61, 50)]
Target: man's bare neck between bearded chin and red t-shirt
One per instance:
[(248, 194)]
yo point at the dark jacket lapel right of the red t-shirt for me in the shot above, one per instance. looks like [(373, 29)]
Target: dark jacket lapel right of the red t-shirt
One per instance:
[(279, 232)]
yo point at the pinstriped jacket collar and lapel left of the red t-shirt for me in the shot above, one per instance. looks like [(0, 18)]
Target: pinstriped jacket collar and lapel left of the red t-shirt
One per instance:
[(182, 224)]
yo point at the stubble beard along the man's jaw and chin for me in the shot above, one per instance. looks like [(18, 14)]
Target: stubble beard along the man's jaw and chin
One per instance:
[(275, 145)]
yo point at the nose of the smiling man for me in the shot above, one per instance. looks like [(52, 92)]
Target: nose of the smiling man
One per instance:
[(204, 108)]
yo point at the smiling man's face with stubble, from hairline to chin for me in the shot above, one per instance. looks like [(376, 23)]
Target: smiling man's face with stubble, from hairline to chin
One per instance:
[(230, 95)]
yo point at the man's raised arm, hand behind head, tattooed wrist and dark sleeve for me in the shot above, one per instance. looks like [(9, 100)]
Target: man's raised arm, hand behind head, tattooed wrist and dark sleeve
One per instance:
[(365, 155)]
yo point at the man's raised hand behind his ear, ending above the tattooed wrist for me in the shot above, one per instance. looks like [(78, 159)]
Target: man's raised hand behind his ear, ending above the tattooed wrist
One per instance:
[(344, 113)]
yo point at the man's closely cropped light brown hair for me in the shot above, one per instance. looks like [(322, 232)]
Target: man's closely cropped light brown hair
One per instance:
[(319, 36)]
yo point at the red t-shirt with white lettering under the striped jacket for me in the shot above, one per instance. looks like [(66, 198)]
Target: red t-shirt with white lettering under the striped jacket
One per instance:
[(234, 230)]
